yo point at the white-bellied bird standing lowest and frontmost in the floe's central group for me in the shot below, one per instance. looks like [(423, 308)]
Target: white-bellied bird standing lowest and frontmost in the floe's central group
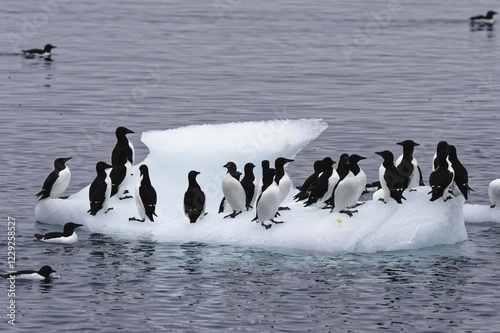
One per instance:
[(269, 200)]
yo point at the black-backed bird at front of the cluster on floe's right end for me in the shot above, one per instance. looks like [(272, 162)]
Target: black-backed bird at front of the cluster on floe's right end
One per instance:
[(441, 179)]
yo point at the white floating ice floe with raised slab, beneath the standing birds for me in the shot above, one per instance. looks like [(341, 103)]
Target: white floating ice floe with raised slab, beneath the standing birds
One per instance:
[(173, 153)]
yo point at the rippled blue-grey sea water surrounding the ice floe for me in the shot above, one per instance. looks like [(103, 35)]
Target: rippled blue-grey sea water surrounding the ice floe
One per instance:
[(377, 72)]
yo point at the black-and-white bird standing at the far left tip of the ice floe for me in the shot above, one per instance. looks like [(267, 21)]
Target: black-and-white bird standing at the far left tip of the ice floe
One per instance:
[(57, 181)]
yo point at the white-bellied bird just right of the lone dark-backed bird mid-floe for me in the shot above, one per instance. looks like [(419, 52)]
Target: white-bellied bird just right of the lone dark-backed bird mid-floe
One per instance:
[(233, 190)]
